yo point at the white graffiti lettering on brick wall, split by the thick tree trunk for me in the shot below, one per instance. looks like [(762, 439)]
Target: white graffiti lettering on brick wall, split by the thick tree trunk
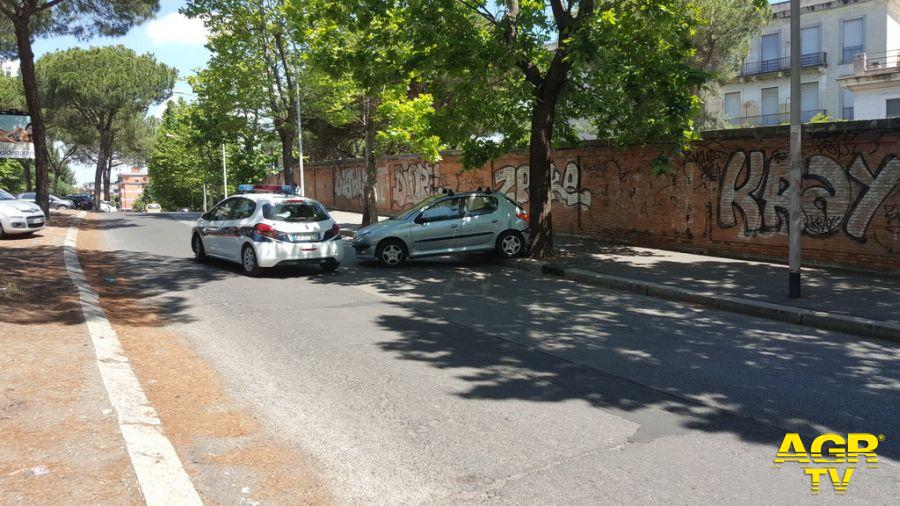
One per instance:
[(513, 181)]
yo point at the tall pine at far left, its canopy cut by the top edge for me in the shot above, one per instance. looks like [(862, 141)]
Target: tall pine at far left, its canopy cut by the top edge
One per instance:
[(84, 19)]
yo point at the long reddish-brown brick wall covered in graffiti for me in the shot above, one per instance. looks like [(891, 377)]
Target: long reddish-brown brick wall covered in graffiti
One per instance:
[(727, 196)]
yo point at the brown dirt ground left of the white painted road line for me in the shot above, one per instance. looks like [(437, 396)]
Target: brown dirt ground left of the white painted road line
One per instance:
[(60, 437)]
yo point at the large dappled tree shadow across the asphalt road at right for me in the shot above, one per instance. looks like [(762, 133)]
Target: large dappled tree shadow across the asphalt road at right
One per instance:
[(667, 366)]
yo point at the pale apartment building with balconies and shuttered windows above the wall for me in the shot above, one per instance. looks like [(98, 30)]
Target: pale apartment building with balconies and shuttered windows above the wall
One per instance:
[(849, 65)]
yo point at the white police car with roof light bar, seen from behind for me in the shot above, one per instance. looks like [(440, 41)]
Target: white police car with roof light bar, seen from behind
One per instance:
[(267, 226)]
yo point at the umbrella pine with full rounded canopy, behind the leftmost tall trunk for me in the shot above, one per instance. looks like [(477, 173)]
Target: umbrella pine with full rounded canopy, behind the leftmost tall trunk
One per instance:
[(104, 88)]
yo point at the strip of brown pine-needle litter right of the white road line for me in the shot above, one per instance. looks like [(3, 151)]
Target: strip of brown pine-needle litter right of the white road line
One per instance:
[(227, 455)]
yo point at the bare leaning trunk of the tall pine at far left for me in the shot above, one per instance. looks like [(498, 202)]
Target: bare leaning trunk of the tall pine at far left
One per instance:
[(38, 133)]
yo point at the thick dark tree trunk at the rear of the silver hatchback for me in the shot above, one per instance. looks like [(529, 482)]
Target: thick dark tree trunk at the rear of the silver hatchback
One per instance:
[(539, 177)]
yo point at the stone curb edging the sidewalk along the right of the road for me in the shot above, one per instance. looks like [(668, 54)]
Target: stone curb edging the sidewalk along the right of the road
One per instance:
[(800, 316)]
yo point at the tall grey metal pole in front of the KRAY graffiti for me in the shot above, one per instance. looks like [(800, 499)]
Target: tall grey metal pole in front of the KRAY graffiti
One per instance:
[(795, 176)]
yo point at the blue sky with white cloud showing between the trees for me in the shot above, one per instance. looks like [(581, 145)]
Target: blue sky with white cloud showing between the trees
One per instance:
[(171, 37)]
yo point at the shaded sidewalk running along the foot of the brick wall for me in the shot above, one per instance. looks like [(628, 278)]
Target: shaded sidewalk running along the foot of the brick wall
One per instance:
[(833, 299)]
